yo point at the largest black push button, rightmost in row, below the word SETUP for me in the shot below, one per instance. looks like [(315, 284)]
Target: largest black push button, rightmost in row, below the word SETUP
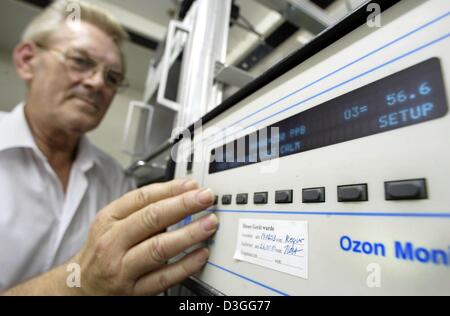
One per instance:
[(406, 190)]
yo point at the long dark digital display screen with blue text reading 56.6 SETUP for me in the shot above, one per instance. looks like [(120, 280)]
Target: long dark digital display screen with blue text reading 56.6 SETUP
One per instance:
[(411, 96)]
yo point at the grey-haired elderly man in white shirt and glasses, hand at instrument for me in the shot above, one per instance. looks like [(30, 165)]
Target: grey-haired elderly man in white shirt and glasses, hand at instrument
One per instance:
[(53, 181)]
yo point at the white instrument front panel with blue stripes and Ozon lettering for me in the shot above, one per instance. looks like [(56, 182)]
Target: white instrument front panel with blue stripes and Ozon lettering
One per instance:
[(366, 243)]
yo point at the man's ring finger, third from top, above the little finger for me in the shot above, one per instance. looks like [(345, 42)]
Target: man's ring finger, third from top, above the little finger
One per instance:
[(153, 253)]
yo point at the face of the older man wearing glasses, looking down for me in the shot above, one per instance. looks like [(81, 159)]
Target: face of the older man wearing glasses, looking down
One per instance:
[(67, 99)]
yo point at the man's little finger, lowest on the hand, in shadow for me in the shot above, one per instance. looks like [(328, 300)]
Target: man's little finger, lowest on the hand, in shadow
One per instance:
[(172, 274)]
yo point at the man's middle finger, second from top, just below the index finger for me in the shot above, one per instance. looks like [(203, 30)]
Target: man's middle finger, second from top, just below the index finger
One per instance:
[(158, 216)]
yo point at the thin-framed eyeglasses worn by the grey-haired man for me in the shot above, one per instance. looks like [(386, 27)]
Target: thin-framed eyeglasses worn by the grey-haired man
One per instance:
[(79, 62)]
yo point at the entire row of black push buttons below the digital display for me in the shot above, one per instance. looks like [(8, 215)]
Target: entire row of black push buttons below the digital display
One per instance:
[(394, 191)]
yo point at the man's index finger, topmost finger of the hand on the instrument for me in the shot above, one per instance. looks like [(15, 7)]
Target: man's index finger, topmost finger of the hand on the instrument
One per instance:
[(138, 199)]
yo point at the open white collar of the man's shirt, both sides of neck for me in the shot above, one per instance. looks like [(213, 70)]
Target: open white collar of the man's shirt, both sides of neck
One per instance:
[(15, 133)]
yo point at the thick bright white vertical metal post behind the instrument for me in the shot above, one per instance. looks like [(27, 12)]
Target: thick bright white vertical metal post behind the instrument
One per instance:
[(207, 45)]
